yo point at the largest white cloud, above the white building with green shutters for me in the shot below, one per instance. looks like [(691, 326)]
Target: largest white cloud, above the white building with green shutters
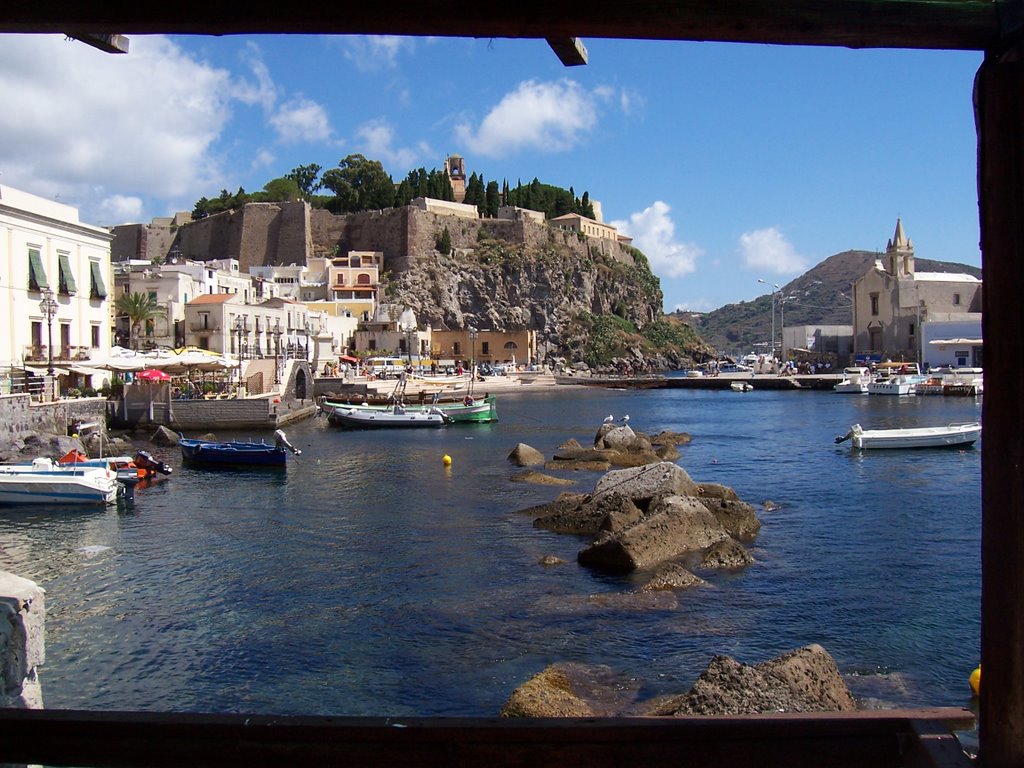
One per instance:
[(83, 124)]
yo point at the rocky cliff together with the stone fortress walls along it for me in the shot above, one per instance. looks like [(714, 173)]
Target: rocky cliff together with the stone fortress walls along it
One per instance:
[(499, 275)]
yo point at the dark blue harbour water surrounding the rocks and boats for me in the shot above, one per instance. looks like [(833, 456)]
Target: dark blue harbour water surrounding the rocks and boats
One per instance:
[(371, 579)]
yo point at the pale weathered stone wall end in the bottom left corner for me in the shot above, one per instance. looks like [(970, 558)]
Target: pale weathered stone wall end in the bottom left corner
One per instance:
[(23, 623)]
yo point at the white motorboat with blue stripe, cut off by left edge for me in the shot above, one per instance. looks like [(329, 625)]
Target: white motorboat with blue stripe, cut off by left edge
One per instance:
[(45, 482)]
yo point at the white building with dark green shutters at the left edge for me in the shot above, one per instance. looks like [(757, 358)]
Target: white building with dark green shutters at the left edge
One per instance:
[(51, 259)]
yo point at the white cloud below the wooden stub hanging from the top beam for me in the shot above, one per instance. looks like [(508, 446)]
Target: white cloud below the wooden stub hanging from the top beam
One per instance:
[(547, 117)]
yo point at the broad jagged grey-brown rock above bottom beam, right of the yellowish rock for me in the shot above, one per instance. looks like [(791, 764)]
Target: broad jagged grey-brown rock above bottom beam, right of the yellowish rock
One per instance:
[(804, 680)]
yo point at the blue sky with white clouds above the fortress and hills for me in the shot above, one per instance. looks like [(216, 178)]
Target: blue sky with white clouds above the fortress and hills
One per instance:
[(728, 164)]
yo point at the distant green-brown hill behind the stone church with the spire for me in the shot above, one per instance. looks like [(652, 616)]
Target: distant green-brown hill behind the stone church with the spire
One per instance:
[(821, 296)]
